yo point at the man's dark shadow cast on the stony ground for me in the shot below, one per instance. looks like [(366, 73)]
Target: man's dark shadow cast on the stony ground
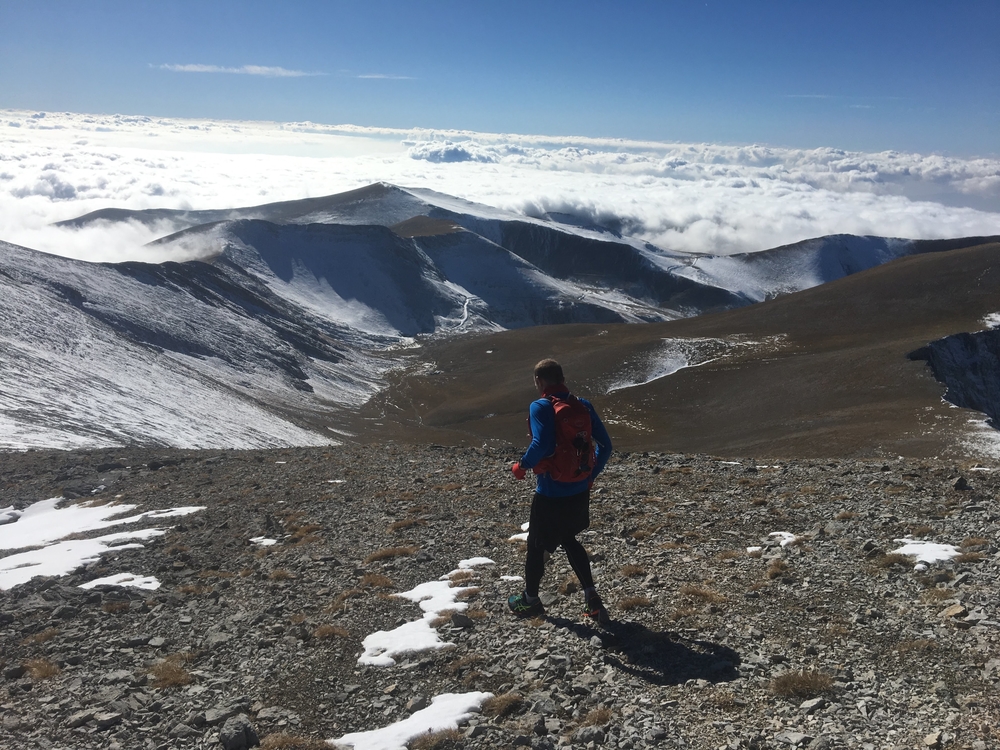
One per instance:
[(659, 658)]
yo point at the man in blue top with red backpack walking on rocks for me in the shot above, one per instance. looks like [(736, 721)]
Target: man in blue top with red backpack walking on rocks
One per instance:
[(560, 508)]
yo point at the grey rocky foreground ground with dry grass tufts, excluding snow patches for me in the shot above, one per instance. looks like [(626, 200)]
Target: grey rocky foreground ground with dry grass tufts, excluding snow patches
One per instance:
[(829, 641)]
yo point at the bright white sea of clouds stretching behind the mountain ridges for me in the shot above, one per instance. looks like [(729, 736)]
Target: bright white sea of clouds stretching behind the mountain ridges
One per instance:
[(689, 197)]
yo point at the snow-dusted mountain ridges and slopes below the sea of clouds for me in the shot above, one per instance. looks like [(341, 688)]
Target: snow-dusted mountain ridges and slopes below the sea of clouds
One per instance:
[(299, 309)]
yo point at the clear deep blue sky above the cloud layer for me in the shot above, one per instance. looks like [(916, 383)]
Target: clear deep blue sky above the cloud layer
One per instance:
[(912, 76)]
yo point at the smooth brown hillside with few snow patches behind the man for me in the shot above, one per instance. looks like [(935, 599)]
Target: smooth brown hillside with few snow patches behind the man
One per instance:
[(823, 372)]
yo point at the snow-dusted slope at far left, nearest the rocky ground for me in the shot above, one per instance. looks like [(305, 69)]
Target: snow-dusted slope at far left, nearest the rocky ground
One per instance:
[(94, 356)]
